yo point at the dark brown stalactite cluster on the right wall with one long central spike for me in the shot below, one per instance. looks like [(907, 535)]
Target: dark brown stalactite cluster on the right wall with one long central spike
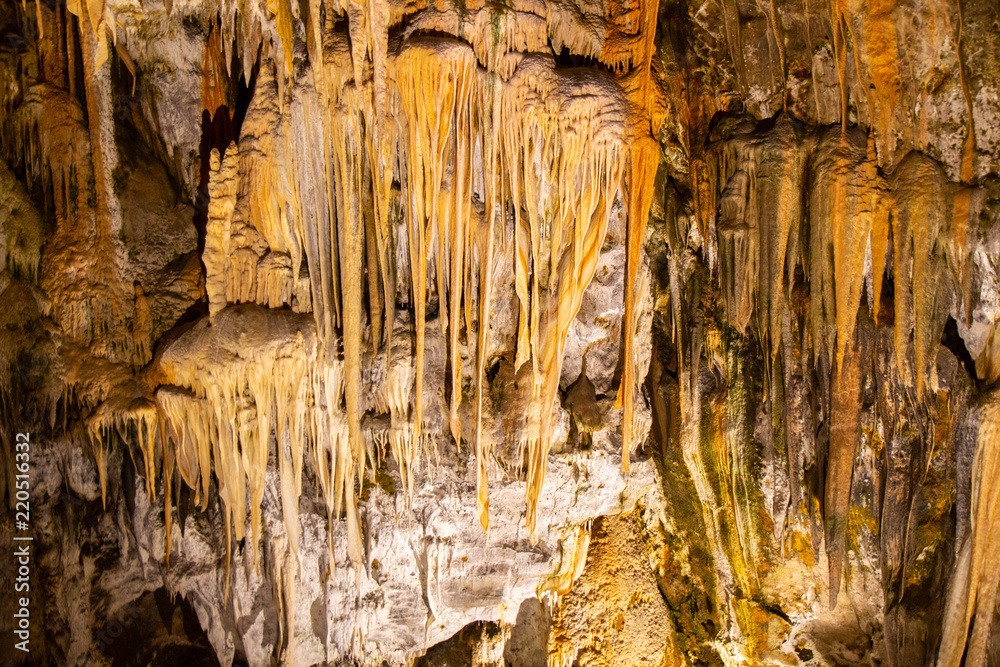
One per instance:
[(838, 238)]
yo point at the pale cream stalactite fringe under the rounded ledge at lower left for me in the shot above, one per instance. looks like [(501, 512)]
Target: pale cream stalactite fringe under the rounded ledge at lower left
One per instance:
[(242, 394)]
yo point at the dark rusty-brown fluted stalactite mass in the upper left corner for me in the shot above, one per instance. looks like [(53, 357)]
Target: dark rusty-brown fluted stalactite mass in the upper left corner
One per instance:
[(62, 138)]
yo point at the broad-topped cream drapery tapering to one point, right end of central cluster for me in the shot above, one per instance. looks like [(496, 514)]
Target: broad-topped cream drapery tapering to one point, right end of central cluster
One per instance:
[(577, 141)]
